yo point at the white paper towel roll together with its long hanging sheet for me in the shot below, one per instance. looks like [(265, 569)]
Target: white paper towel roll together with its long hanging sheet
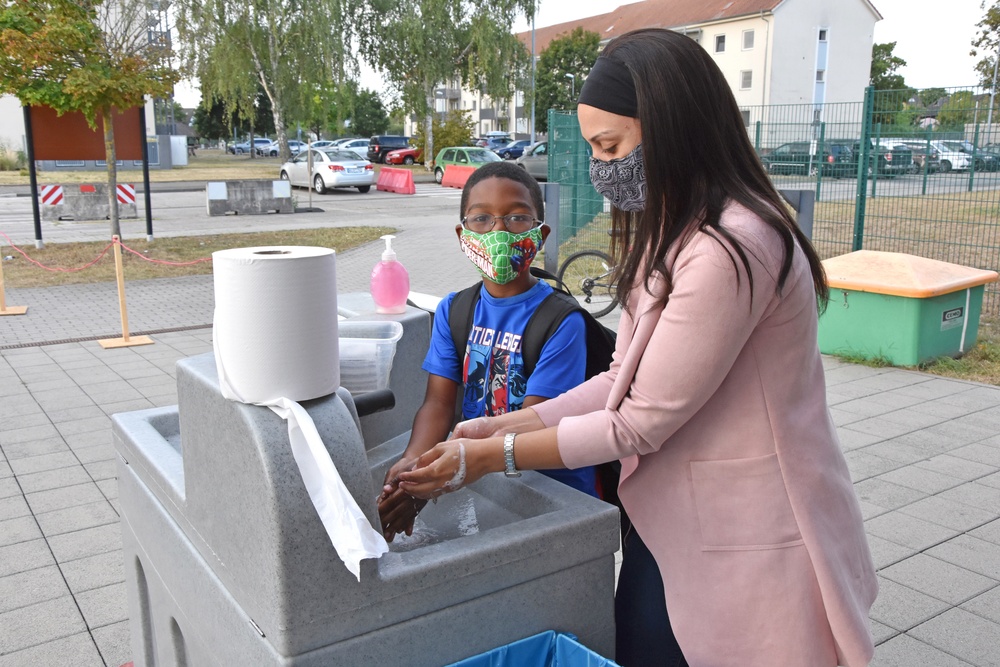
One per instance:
[(275, 340)]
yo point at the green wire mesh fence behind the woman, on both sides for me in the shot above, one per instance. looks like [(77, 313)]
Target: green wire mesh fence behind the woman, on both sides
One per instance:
[(897, 171)]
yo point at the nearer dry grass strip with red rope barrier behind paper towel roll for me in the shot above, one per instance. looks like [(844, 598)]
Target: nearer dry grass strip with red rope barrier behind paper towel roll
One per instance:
[(19, 272)]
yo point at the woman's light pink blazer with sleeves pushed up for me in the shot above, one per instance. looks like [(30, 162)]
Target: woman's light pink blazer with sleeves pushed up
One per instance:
[(731, 468)]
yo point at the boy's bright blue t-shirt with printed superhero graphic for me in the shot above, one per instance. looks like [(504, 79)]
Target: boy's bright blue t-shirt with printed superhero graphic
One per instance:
[(491, 368)]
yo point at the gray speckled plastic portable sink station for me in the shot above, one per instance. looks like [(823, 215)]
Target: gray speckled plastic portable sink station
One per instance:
[(227, 562)]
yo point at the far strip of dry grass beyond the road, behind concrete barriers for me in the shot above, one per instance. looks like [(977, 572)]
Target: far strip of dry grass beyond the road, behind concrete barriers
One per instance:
[(207, 165)]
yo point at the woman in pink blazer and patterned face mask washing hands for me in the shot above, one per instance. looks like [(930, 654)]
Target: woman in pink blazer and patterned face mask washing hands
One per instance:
[(745, 520)]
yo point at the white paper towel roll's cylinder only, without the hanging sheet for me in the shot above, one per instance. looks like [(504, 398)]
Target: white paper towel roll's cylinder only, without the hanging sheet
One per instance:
[(276, 322)]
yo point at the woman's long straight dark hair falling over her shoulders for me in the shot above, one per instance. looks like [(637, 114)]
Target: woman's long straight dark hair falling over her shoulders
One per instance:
[(698, 158)]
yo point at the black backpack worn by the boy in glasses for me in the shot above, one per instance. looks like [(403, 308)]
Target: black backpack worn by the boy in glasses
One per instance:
[(542, 324)]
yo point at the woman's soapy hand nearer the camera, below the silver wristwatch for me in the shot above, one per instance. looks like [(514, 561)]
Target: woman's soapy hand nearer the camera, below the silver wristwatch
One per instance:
[(449, 466)]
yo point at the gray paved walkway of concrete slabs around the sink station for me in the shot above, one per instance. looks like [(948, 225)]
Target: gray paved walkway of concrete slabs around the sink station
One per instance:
[(924, 453)]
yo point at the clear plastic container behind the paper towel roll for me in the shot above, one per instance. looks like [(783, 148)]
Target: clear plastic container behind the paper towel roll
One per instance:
[(366, 352)]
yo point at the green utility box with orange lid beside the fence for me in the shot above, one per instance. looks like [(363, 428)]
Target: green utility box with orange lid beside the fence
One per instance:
[(901, 308)]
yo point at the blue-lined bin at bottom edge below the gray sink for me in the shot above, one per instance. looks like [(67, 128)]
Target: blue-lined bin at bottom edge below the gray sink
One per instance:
[(548, 649)]
